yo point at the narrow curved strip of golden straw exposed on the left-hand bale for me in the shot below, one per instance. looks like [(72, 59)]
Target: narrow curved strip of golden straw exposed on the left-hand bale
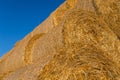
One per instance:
[(28, 48)]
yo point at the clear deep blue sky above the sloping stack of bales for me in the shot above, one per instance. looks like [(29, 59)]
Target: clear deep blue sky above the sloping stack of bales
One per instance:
[(19, 17)]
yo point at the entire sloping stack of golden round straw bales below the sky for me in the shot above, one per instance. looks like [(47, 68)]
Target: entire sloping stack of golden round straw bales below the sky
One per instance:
[(80, 40)]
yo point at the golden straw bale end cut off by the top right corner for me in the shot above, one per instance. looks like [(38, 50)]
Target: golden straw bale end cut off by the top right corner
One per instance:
[(110, 11)]
